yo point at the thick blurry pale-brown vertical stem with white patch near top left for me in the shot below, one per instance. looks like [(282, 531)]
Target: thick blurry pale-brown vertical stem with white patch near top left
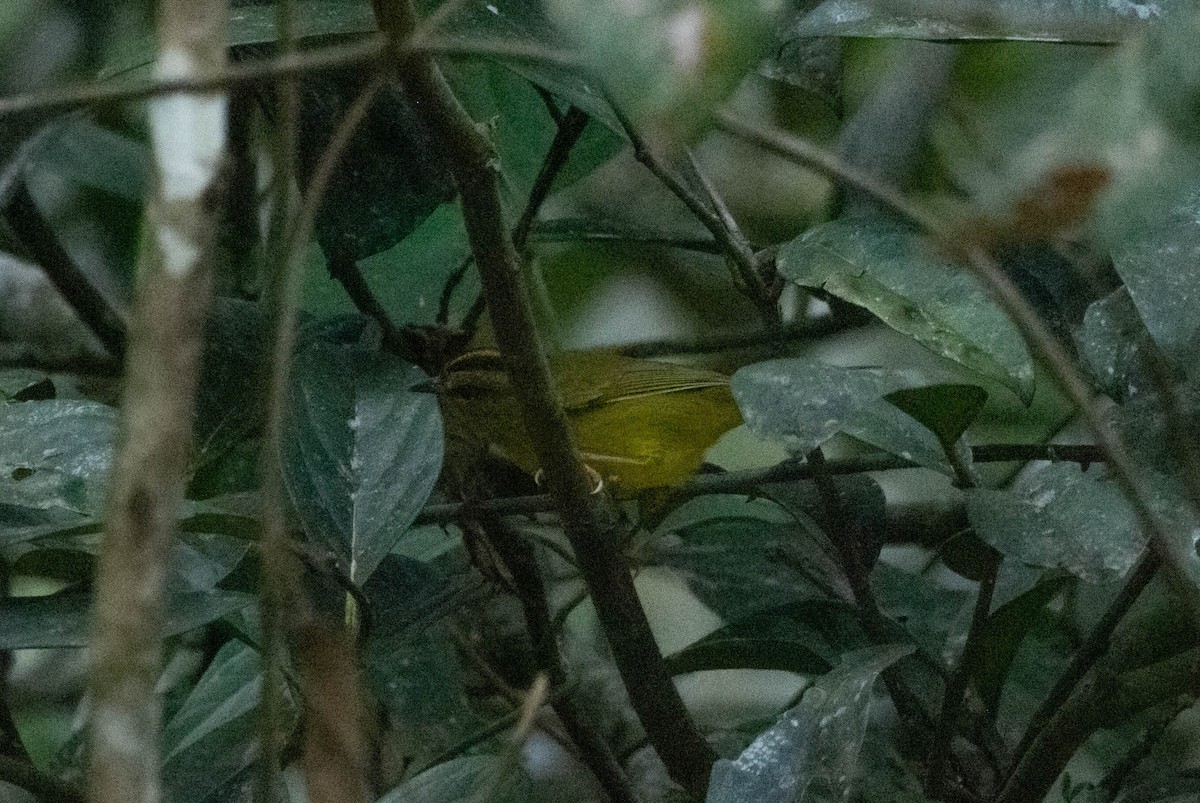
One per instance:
[(154, 450)]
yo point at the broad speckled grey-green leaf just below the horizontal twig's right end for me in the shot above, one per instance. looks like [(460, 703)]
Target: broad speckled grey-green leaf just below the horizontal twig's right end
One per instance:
[(1061, 518)]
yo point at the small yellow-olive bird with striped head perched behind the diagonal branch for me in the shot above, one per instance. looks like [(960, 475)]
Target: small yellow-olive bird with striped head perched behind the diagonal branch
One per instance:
[(639, 424)]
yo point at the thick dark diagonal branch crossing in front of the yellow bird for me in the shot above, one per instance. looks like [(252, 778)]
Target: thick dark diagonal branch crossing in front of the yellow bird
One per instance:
[(589, 519)]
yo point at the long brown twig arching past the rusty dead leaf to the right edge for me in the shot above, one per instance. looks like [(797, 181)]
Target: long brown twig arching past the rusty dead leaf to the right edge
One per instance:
[(1040, 339)]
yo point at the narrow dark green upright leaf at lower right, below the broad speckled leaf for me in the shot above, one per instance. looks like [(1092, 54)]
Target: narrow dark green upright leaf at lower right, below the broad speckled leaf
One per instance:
[(1004, 633)]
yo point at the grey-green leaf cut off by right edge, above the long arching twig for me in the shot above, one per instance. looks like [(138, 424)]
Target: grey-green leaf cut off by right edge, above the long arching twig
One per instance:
[(1161, 268)]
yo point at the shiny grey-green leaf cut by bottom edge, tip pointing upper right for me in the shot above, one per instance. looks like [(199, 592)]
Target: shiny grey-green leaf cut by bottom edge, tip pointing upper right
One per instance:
[(811, 754)]
